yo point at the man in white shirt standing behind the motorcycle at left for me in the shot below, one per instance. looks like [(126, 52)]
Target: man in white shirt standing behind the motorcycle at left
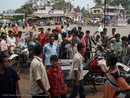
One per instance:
[(11, 41)]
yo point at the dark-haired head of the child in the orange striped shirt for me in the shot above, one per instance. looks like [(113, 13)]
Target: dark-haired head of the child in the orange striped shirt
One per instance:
[(111, 59)]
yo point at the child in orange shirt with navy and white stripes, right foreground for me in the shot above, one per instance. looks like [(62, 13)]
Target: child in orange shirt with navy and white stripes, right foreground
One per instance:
[(115, 82)]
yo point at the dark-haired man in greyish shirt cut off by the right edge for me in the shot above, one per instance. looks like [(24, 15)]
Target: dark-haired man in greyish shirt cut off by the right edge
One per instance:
[(126, 50)]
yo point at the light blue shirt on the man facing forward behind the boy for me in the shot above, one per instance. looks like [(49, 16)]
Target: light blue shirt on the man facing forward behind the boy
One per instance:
[(49, 51)]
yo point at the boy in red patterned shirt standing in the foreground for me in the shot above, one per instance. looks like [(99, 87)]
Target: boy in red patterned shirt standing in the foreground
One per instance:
[(55, 77)]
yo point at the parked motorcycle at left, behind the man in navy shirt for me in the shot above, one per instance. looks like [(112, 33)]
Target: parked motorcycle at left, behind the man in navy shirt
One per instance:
[(20, 57)]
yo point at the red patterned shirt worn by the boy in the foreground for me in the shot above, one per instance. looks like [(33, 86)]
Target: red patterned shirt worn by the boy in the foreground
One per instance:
[(57, 84)]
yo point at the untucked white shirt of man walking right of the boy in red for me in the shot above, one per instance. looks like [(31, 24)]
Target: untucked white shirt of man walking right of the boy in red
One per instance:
[(77, 64)]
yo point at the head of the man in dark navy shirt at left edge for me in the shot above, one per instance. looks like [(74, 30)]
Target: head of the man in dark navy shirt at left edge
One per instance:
[(4, 61)]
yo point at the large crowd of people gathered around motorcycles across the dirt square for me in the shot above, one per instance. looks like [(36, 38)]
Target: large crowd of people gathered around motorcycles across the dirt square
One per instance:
[(46, 77)]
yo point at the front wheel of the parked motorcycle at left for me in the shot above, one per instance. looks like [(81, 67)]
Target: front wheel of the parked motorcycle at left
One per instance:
[(15, 63)]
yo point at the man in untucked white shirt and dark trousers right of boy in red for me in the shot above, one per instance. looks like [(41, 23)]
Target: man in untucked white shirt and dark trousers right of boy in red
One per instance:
[(76, 73)]
